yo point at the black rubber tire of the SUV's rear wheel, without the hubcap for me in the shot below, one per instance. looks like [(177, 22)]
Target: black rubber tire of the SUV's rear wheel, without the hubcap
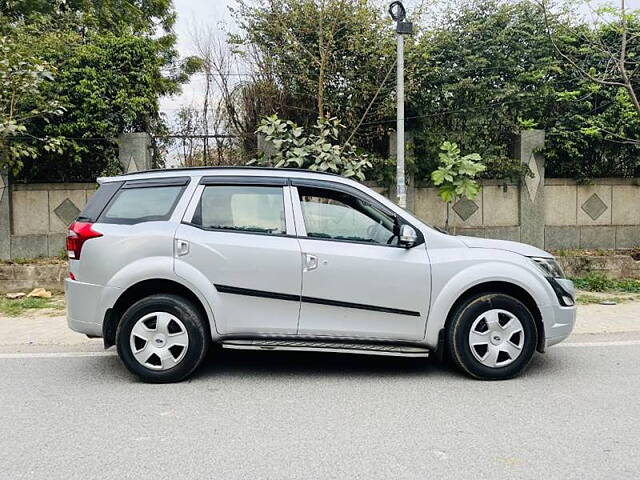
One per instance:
[(196, 328)]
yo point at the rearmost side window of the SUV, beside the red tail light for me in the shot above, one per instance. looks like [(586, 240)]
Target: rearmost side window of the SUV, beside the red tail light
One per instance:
[(136, 205)]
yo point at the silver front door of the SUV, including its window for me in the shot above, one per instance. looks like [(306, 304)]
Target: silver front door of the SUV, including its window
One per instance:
[(357, 281)]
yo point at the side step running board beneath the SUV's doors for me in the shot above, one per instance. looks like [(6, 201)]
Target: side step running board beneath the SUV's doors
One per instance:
[(337, 347)]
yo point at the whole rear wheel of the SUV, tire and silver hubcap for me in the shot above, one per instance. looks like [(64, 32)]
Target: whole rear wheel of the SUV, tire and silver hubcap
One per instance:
[(162, 338)]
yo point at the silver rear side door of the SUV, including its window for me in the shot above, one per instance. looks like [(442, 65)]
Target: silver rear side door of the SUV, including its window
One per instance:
[(241, 236)]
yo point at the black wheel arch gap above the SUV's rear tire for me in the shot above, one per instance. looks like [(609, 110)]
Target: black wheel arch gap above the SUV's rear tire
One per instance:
[(141, 290)]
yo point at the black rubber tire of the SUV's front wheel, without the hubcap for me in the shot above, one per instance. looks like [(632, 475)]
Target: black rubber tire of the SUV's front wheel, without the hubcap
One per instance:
[(459, 329)]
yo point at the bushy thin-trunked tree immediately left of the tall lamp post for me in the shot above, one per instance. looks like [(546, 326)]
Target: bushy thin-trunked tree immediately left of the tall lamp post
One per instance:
[(328, 56)]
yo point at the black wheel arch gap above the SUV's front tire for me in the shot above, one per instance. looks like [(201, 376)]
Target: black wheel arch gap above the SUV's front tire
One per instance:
[(503, 287)]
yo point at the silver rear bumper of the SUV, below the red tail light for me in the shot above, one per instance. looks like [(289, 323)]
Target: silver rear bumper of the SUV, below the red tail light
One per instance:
[(87, 304)]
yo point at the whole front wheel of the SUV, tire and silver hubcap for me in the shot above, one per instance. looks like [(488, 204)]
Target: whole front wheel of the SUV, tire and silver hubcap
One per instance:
[(492, 336)]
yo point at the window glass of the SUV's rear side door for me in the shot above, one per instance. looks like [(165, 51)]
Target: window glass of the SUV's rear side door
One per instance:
[(251, 208)]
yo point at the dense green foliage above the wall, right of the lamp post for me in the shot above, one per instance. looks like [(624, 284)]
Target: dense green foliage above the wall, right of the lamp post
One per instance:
[(488, 69)]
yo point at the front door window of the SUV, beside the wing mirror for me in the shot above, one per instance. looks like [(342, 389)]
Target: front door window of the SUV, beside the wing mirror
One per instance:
[(336, 215)]
